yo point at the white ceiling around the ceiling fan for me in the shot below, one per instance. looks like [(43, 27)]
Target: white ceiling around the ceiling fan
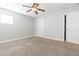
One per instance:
[(49, 7)]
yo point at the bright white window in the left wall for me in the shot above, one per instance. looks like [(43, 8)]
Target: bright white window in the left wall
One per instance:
[(6, 19)]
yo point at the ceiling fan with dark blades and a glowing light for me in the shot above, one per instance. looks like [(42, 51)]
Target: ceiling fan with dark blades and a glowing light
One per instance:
[(35, 8)]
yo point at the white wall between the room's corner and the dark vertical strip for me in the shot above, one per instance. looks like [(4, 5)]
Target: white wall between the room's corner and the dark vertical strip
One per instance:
[(51, 26)]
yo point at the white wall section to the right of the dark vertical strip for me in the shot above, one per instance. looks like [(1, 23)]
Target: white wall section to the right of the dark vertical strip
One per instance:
[(73, 25)]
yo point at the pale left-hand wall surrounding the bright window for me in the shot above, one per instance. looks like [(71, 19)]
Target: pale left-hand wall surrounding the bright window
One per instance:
[(22, 26)]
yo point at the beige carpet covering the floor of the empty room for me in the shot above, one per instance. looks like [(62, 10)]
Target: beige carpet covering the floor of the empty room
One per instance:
[(36, 46)]
